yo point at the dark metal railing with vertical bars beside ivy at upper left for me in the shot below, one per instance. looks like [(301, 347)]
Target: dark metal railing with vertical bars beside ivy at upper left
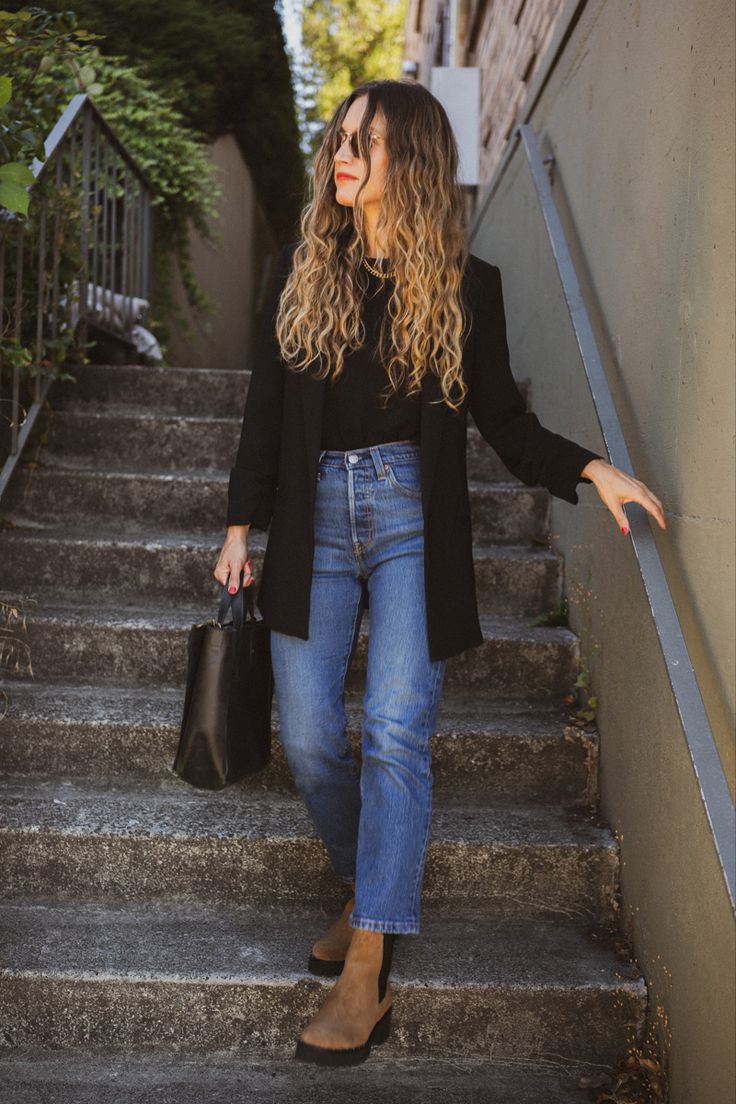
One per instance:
[(90, 179)]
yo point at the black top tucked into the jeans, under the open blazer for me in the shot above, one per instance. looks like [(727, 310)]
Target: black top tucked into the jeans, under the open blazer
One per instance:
[(356, 415)]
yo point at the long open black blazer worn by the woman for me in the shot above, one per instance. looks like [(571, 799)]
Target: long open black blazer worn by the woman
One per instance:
[(274, 480)]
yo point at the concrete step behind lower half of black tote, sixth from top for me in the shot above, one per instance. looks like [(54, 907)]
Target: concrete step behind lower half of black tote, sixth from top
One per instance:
[(502, 752)]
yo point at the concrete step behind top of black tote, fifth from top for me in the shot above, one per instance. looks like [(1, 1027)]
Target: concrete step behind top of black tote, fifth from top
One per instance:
[(129, 643)]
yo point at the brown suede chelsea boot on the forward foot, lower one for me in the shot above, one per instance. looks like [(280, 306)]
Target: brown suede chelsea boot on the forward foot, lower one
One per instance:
[(357, 1014)]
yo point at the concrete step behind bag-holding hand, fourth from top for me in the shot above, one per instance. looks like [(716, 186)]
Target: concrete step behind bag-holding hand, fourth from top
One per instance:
[(121, 558)]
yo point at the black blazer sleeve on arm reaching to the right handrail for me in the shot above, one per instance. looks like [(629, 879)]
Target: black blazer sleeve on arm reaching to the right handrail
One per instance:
[(530, 451)]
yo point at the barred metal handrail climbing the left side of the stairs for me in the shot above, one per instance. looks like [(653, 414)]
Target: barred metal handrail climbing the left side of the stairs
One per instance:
[(115, 240)]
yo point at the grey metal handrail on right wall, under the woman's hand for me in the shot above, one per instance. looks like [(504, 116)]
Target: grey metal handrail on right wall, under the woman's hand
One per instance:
[(710, 774)]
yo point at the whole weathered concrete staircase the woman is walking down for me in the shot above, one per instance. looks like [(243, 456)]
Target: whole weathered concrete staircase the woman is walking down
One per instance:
[(154, 938)]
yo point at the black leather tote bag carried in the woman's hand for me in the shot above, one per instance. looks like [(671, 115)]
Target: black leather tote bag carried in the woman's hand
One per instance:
[(227, 724)]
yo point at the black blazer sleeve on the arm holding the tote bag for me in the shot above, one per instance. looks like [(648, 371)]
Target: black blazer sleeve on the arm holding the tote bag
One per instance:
[(253, 479)]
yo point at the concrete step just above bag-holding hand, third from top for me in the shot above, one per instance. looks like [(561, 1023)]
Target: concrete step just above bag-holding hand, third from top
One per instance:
[(506, 513)]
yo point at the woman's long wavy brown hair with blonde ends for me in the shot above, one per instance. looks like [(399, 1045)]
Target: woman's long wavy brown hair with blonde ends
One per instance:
[(423, 218)]
